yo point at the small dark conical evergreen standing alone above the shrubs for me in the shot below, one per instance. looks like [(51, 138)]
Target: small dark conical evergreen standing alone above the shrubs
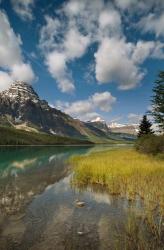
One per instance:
[(145, 127)]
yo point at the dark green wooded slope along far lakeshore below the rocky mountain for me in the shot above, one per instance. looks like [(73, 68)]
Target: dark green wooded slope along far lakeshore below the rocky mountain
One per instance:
[(11, 136)]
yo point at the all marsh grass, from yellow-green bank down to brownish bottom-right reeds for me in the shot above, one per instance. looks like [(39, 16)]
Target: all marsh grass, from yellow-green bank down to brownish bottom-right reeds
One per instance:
[(132, 175)]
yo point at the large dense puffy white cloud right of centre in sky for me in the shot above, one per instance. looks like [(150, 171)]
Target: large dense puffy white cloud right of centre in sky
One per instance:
[(114, 63)]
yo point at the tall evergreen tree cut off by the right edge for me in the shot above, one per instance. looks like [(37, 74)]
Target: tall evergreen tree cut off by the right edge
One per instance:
[(158, 101)]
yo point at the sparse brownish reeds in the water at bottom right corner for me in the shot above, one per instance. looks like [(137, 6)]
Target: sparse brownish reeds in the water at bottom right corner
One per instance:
[(137, 233)]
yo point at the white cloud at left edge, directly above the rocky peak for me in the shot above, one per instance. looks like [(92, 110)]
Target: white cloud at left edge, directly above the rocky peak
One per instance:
[(12, 62)]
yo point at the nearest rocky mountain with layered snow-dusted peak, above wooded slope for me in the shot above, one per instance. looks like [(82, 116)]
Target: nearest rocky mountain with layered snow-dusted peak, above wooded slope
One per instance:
[(21, 104)]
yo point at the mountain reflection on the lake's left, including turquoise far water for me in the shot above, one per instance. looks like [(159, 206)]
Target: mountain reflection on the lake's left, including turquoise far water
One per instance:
[(25, 172)]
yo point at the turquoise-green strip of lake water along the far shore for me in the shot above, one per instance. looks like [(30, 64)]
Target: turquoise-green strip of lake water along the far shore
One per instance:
[(22, 158)]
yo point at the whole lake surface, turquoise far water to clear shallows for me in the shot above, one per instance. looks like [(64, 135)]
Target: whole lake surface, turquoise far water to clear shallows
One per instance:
[(38, 206)]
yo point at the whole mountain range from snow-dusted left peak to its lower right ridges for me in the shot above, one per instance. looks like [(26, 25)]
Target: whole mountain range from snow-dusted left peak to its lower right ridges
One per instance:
[(21, 108)]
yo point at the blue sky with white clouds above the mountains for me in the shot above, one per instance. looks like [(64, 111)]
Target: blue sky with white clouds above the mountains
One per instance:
[(88, 58)]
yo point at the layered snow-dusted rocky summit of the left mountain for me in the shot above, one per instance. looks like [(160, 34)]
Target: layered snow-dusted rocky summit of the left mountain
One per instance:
[(21, 91)]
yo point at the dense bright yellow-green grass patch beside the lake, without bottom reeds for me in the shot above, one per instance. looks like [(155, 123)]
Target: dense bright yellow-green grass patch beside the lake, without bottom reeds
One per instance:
[(124, 172)]
